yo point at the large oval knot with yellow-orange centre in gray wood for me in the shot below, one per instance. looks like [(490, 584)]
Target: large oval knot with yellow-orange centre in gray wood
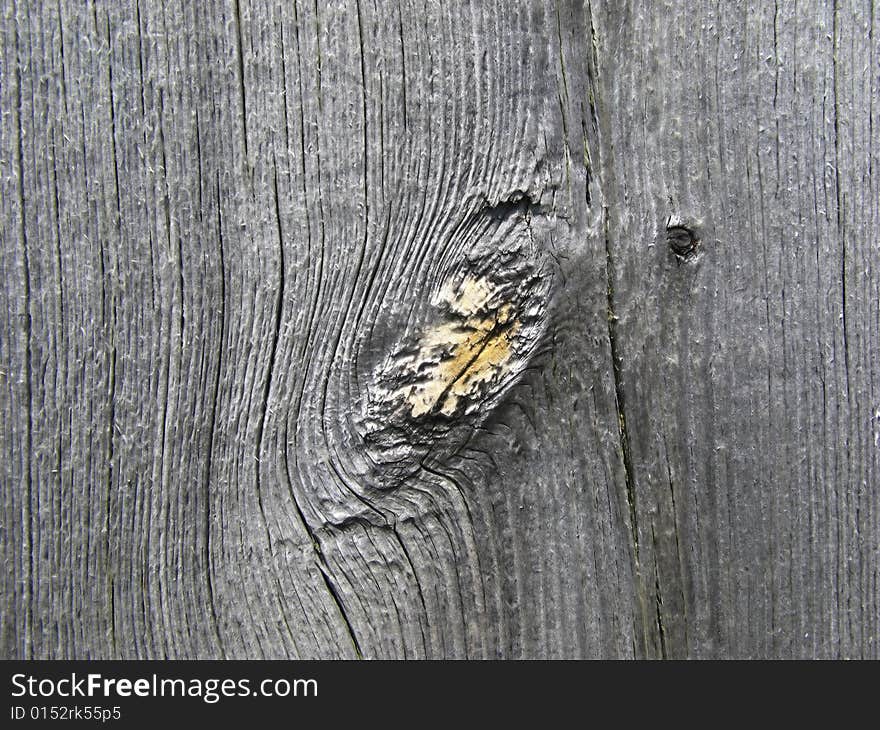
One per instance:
[(461, 351)]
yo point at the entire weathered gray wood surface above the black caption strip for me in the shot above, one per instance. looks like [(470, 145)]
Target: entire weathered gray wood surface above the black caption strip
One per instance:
[(472, 329)]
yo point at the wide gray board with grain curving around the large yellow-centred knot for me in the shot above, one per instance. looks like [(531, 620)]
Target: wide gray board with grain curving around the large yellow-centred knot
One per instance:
[(241, 206)]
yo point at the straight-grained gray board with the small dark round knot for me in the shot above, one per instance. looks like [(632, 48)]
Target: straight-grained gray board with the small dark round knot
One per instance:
[(750, 366)]
